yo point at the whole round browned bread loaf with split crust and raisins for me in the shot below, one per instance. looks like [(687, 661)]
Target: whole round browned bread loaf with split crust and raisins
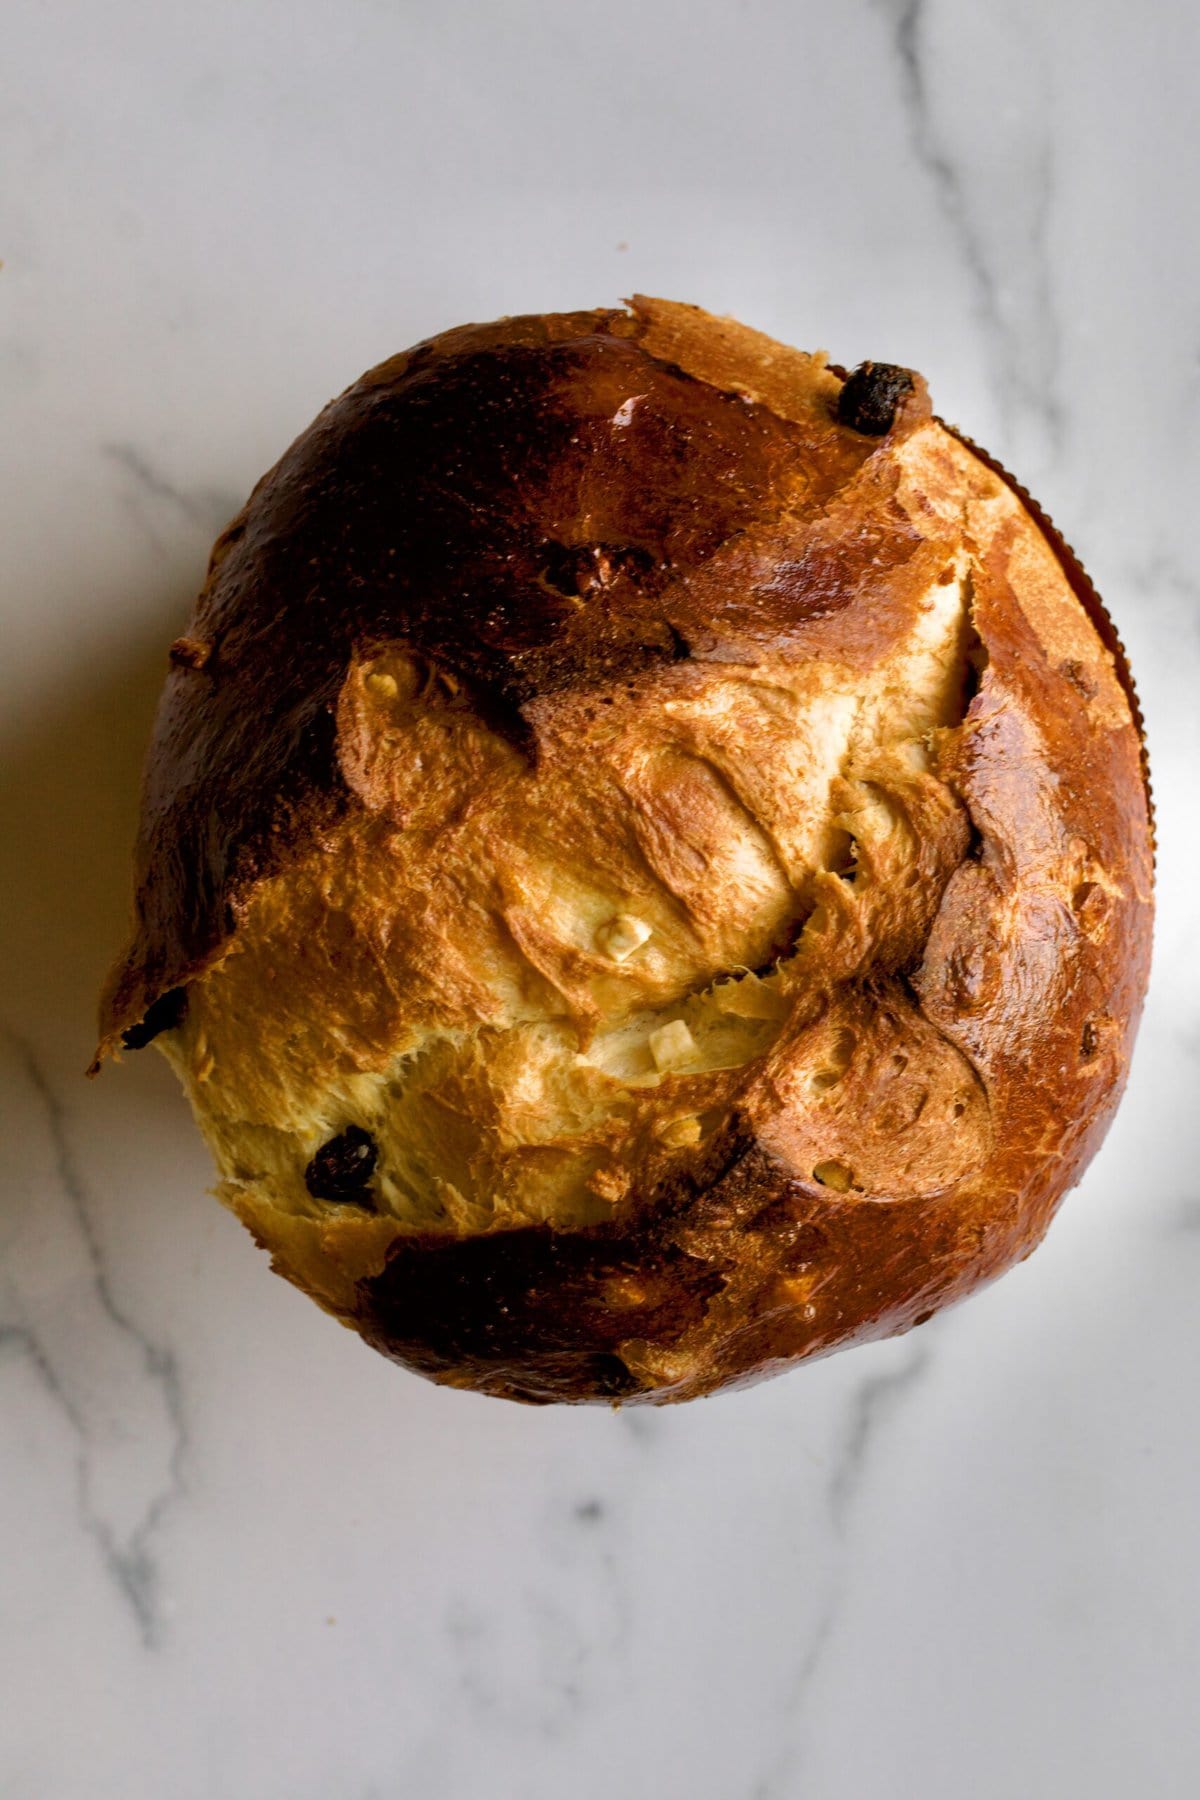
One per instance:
[(647, 865)]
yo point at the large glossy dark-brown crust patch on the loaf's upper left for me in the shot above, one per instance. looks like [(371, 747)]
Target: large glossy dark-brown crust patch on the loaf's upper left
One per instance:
[(438, 503)]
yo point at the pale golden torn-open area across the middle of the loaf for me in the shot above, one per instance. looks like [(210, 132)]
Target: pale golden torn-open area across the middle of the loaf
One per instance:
[(575, 967)]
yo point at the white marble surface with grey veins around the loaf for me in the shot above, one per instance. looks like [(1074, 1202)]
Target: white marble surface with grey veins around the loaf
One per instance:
[(244, 1558)]
